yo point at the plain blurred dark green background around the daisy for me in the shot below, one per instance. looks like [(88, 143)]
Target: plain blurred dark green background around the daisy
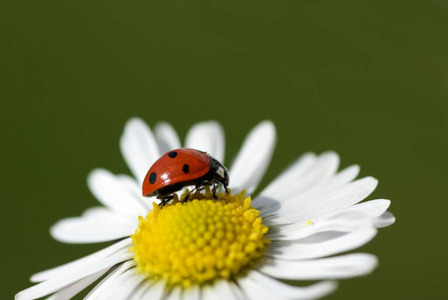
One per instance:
[(368, 79)]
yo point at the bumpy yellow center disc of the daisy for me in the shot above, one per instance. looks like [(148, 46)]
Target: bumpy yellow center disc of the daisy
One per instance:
[(199, 240)]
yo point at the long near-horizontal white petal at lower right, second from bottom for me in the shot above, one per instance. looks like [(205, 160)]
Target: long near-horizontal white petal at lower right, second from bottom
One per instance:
[(339, 267)]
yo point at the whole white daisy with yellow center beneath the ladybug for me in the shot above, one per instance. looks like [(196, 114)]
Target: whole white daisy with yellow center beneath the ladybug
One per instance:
[(236, 247)]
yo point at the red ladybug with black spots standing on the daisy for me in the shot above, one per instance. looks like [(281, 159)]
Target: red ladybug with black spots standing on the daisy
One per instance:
[(179, 168)]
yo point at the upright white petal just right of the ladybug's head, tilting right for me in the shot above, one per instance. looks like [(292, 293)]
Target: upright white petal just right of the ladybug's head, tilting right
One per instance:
[(253, 159)]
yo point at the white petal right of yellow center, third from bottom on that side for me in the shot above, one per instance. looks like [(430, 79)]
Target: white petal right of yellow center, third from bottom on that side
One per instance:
[(303, 249)]
